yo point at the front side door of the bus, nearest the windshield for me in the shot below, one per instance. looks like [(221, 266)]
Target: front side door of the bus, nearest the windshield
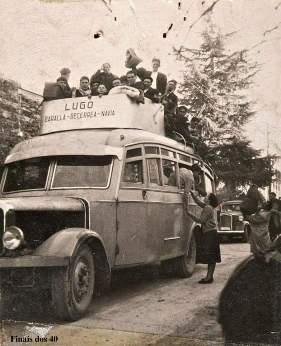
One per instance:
[(132, 227)]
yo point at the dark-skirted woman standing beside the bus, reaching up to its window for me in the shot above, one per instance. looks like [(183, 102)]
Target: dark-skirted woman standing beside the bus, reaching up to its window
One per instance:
[(209, 242)]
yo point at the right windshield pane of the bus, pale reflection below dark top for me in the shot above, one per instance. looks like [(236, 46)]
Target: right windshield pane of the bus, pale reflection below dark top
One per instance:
[(82, 171)]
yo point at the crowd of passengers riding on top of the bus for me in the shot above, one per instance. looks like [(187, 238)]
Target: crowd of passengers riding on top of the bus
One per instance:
[(139, 83)]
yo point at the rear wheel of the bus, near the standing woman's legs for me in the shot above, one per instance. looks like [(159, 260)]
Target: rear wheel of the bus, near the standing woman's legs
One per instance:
[(182, 266)]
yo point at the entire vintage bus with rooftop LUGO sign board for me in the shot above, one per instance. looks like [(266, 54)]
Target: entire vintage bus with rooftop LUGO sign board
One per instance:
[(97, 190)]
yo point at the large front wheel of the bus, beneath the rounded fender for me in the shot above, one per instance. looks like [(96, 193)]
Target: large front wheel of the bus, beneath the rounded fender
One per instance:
[(73, 287)]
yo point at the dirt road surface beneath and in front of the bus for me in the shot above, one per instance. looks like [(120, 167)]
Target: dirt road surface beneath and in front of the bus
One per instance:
[(142, 308)]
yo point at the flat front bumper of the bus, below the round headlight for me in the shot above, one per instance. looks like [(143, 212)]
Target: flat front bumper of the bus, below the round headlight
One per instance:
[(29, 261)]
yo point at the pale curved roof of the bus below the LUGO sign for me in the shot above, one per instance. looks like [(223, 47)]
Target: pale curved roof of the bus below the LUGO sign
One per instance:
[(88, 142)]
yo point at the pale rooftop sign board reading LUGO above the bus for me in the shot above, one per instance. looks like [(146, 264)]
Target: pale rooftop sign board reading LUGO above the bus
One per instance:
[(110, 111)]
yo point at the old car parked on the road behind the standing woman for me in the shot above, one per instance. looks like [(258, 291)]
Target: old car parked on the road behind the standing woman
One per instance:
[(231, 221)]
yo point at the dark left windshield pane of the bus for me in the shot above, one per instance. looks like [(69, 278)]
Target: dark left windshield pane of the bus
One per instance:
[(28, 174)]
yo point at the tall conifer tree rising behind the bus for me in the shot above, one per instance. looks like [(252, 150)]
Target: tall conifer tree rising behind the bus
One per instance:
[(214, 89)]
